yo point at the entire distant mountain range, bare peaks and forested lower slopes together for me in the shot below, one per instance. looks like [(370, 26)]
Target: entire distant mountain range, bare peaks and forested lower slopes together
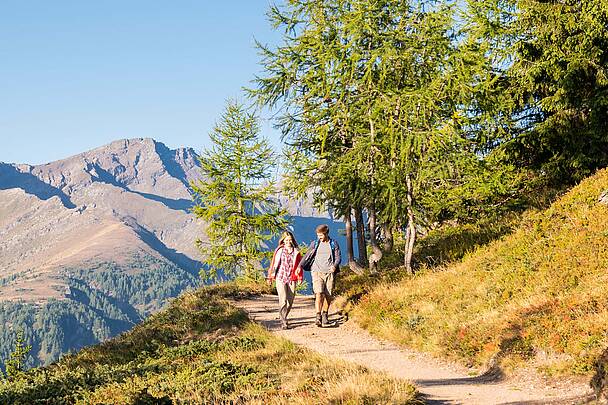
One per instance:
[(92, 244)]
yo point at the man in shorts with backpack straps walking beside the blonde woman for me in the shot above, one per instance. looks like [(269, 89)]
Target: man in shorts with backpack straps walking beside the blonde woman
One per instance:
[(323, 260)]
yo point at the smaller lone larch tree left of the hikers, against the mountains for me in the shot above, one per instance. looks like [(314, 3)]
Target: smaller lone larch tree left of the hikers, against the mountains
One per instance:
[(233, 197)]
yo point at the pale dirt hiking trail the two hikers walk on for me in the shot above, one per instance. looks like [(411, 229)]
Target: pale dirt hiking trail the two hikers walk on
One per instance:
[(439, 382)]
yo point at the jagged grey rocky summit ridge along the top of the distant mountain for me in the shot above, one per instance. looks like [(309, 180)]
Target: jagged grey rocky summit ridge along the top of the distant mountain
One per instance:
[(139, 164)]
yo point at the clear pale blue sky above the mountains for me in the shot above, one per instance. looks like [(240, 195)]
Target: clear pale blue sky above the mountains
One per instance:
[(78, 74)]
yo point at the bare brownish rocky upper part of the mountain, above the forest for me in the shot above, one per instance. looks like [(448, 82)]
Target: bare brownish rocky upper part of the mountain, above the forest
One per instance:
[(99, 205)]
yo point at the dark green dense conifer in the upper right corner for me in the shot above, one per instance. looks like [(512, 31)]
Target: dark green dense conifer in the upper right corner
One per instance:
[(560, 80)]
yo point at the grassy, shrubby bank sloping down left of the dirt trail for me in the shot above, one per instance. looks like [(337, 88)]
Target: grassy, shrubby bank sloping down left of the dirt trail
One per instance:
[(201, 350)]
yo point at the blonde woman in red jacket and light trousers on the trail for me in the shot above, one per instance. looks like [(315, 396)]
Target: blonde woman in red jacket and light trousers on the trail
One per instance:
[(285, 269)]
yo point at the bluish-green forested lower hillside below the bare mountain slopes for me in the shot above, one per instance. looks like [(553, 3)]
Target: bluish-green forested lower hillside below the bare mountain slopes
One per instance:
[(101, 301)]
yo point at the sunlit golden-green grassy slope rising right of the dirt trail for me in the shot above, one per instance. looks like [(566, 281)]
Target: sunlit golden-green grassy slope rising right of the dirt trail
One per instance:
[(539, 294)]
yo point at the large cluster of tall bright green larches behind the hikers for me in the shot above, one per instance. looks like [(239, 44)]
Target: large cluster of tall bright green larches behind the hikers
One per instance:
[(373, 93)]
